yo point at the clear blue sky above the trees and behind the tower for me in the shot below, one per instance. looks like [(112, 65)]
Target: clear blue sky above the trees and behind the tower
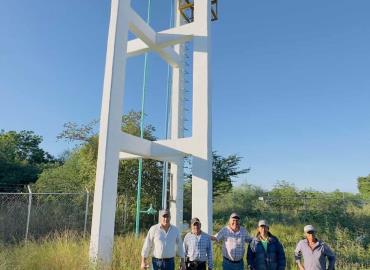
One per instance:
[(290, 81)]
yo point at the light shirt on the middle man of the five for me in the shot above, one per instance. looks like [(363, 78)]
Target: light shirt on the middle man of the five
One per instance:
[(233, 246)]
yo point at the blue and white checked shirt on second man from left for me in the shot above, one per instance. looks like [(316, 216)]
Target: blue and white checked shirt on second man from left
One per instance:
[(198, 248)]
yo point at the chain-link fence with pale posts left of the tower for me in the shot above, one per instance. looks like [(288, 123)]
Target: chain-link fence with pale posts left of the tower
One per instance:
[(32, 215)]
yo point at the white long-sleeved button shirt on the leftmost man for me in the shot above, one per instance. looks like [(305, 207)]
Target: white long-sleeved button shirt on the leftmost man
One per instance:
[(162, 244)]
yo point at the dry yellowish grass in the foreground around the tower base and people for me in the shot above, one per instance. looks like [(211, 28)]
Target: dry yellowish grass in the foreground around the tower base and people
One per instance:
[(70, 251)]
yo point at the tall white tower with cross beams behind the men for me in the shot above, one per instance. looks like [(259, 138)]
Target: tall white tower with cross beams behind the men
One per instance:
[(115, 144)]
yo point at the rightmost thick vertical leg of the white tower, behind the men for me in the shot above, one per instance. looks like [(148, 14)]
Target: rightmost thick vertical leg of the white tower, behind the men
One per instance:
[(202, 118)]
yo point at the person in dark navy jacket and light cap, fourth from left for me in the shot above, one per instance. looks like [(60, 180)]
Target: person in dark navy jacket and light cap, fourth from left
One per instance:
[(265, 252)]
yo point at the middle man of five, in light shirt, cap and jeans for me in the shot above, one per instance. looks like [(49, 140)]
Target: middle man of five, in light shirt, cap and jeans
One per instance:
[(233, 238)]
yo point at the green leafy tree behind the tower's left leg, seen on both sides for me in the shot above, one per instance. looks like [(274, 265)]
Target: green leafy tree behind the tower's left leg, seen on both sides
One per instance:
[(79, 169)]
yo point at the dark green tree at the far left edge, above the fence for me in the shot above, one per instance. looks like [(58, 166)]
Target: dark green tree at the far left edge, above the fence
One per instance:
[(21, 159)]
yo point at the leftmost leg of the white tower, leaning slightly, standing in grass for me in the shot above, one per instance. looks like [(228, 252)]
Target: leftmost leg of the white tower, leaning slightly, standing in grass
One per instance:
[(102, 229)]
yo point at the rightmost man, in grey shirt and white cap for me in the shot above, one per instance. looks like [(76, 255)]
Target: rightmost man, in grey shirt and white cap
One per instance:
[(314, 252)]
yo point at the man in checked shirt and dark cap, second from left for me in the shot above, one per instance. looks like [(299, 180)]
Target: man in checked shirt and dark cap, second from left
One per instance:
[(198, 248)]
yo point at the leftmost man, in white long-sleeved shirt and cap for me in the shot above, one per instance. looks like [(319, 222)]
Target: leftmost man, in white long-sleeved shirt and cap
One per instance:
[(161, 242)]
